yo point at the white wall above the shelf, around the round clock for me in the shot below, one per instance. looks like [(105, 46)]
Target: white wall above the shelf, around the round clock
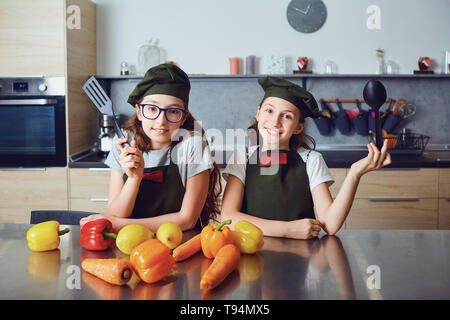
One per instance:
[(200, 35)]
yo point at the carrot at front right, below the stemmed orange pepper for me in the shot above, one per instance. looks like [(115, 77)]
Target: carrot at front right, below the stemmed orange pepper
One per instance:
[(226, 260)]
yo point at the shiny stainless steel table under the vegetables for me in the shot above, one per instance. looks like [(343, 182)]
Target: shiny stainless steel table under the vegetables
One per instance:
[(356, 264)]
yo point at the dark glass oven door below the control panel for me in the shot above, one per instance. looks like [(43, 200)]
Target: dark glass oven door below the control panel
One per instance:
[(32, 131)]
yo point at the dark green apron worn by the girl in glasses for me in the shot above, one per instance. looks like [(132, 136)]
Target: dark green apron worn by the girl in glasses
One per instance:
[(161, 191)]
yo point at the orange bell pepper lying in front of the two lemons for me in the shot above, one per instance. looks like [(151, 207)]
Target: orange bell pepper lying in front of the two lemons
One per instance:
[(152, 260)]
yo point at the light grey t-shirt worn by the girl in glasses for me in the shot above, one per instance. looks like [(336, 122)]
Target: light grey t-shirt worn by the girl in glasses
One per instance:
[(192, 156)]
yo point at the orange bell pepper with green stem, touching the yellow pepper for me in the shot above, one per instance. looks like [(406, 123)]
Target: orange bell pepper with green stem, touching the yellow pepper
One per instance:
[(214, 237)]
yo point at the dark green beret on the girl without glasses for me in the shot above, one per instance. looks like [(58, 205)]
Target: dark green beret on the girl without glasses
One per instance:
[(280, 88)]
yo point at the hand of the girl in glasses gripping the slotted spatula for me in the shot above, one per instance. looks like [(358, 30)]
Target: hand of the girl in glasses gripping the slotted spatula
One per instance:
[(131, 159)]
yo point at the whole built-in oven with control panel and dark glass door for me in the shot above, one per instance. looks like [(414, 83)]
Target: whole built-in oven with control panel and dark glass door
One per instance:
[(32, 122)]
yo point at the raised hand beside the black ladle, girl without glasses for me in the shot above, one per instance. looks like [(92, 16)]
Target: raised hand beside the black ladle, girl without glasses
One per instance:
[(375, 159)]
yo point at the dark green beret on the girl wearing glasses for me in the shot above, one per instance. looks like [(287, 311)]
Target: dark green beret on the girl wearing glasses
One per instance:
[(165, 78)]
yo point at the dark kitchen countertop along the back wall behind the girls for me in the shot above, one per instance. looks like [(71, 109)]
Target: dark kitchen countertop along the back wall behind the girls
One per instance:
[(333, 158)]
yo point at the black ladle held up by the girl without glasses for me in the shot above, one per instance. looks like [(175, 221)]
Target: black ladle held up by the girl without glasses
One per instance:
[(374, 94)]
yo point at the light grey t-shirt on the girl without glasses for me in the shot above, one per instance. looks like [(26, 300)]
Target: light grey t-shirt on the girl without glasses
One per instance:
[(316, 167)]
